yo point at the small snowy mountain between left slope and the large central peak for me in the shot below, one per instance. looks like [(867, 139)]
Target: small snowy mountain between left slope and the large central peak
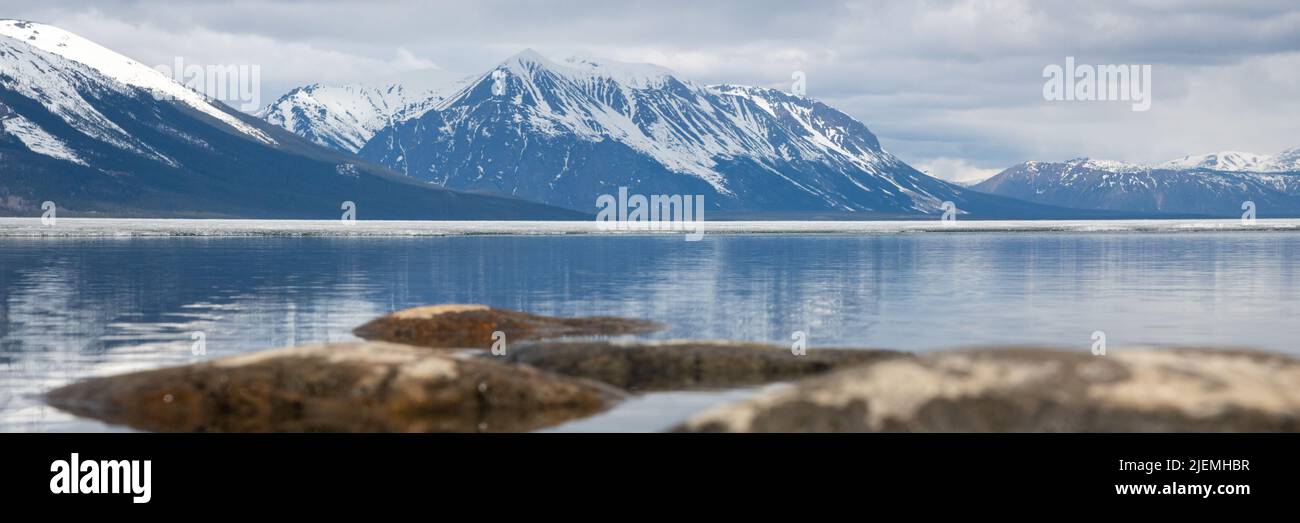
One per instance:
[(345, 118)]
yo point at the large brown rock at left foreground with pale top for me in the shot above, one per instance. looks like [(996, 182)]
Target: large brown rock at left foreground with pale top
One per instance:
[(356, 387)]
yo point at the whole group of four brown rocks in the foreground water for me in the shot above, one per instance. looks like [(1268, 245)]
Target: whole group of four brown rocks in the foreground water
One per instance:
[(435, 370)]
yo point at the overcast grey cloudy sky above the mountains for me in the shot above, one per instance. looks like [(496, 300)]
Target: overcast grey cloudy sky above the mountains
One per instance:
[(954, 88)]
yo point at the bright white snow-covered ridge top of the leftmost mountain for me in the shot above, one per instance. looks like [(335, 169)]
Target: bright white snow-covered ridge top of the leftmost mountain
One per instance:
[(119, 68)]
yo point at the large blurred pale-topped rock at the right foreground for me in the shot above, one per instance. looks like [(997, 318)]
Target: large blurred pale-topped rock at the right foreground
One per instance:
[(1034, 391)]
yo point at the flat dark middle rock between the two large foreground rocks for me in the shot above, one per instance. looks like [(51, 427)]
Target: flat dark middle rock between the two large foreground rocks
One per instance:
[(686, 365)]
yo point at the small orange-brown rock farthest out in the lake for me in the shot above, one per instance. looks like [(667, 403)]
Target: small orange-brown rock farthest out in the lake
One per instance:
[(473, 326)]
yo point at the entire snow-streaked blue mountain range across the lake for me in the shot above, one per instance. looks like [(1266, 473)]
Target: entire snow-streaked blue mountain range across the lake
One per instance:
[(102, 135)]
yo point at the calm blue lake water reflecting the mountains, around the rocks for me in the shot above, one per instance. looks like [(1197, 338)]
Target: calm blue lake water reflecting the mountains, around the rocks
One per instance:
[(76, 308)]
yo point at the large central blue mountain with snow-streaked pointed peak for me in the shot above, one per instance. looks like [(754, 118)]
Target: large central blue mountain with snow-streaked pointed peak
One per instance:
[(565, 133)]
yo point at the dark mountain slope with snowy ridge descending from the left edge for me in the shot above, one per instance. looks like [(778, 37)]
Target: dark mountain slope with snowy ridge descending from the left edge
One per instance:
[(101, 135)]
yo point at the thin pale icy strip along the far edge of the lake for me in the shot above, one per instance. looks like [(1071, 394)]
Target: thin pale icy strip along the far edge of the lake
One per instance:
[(137, 228)]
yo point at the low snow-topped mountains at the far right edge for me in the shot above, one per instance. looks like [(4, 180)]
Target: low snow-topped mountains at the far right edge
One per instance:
[(1214, 185)]
